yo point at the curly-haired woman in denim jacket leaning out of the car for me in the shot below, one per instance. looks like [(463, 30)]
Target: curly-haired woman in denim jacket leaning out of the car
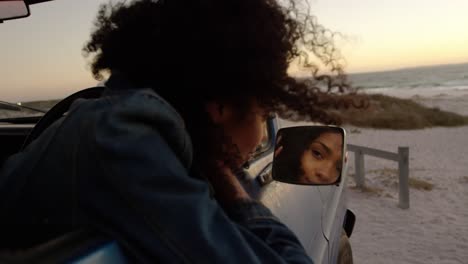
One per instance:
[(191, 84)]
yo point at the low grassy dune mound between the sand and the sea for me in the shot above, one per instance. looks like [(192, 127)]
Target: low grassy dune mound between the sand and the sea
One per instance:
[(386, 112)]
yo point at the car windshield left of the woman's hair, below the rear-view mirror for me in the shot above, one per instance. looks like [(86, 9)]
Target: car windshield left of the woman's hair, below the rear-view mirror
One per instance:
[(43, 56)]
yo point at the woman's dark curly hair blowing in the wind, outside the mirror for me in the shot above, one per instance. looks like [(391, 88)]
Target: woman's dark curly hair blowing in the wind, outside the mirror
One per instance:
[(194, 51)]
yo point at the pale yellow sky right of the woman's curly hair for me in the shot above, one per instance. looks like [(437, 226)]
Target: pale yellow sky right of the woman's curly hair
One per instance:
[(392, 34)]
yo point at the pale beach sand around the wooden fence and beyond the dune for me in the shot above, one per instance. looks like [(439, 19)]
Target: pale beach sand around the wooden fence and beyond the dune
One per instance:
[(435, 227)]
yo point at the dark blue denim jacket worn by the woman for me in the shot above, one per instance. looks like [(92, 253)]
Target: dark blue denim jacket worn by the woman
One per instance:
[(121, 164)]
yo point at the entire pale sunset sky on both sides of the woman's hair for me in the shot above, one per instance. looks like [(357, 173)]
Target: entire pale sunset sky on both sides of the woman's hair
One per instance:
[(41, 55)]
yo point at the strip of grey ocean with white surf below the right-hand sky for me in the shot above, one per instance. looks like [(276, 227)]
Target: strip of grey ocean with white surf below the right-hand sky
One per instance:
[(452, 76)]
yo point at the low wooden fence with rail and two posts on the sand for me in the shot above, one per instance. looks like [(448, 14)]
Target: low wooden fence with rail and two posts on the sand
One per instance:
[(402, 157)]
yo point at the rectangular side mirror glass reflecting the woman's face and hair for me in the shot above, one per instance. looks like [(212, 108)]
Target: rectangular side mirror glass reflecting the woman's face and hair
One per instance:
[(309, 155)]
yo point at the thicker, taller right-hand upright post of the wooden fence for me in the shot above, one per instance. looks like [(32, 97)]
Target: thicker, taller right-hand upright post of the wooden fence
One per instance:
[(403, 173)]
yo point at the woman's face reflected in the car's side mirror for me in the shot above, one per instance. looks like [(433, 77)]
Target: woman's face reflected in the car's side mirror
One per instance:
[(321, 162)]
